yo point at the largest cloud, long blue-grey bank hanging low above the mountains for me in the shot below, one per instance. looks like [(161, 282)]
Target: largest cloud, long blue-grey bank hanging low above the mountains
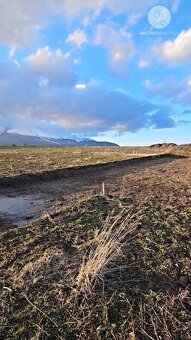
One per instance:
[(30, 101)]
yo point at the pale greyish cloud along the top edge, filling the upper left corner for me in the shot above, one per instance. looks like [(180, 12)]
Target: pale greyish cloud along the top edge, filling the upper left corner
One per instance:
[(21, 20)]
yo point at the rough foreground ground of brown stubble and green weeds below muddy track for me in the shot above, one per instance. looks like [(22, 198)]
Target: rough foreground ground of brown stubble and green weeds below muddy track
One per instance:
[(141, 292)]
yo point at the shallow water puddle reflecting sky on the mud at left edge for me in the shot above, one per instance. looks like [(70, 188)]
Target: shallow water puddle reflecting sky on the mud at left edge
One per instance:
[(19, 210)]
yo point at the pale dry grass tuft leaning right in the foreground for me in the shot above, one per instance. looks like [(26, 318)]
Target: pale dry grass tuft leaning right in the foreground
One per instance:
[(105, 248)]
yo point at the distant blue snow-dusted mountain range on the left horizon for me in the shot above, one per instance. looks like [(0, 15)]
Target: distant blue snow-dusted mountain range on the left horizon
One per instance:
[(7, 138)]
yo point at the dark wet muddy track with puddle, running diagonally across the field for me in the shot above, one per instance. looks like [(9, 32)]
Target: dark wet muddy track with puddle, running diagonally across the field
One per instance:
[(26, 197)]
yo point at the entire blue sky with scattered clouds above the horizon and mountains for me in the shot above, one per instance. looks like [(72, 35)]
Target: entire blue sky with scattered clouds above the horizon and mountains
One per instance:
[(115, 70)]
